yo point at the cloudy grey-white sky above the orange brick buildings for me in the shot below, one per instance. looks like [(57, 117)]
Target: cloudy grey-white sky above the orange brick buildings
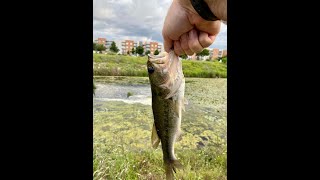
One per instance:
[(138, 20)]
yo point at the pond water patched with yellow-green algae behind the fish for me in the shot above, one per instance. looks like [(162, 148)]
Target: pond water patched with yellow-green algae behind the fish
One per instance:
[(199, 120)]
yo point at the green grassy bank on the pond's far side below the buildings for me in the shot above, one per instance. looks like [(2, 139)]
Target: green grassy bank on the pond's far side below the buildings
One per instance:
[(118, 65)]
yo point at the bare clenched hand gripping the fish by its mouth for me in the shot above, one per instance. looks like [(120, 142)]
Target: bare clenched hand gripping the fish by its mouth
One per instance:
[(187, 32)]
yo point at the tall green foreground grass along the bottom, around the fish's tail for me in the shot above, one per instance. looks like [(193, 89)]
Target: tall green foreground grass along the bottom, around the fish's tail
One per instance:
[(116, 162)]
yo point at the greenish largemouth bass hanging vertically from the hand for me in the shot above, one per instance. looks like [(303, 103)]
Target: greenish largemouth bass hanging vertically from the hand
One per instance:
[(167, 87)]
